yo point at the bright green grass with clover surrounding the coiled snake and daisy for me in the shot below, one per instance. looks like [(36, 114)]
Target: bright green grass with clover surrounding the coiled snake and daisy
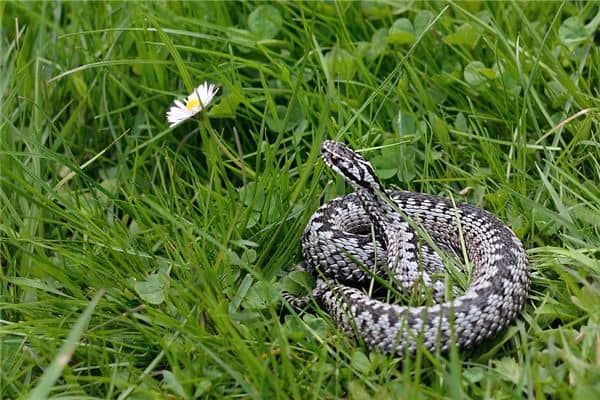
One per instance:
[(141, 262)]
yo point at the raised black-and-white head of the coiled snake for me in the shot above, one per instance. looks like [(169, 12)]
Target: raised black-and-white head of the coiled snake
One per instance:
[(349, 164)]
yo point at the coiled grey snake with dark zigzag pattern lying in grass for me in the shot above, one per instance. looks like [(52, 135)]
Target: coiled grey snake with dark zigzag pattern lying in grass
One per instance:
[(375, 237)]
